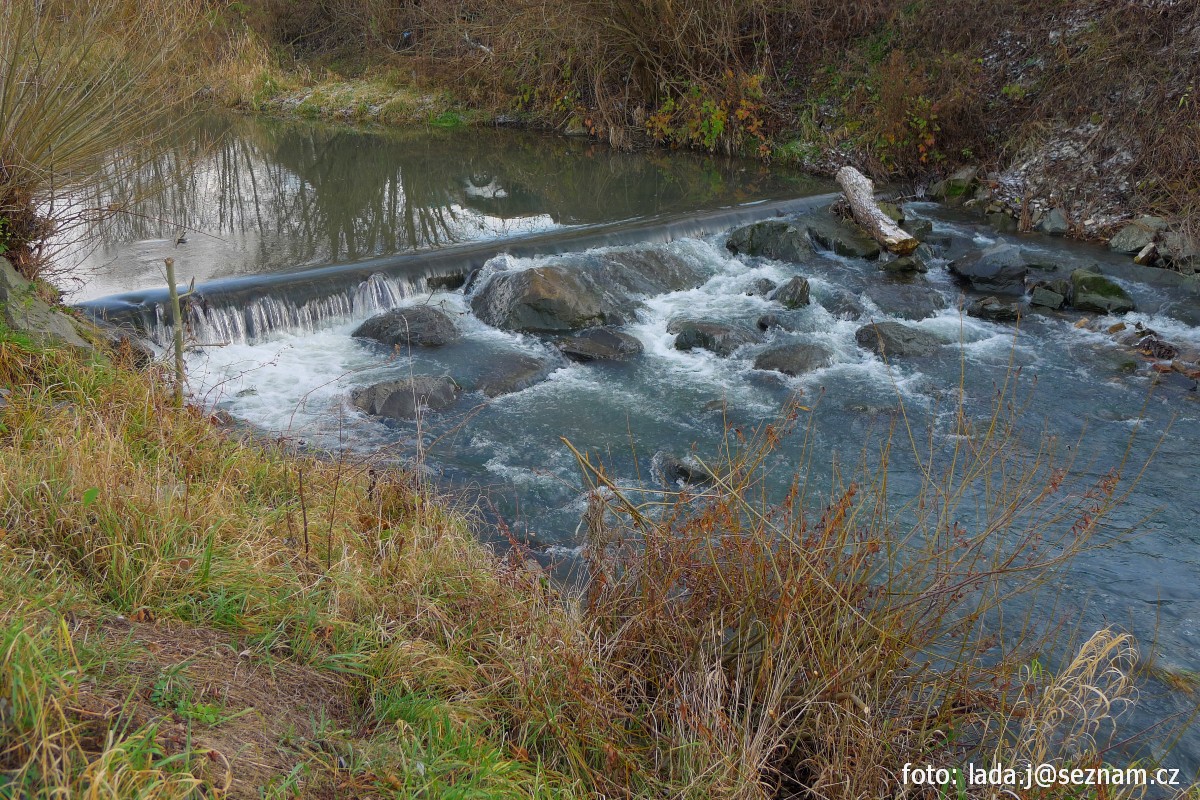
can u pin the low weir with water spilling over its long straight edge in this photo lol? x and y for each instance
(248, 309)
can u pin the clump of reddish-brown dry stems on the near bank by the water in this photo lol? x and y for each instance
(793, 649)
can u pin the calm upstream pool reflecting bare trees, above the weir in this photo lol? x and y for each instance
(272, 196)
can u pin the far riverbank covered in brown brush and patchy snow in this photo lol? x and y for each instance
(1060, 116)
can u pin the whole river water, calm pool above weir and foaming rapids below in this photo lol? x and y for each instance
(303, 232)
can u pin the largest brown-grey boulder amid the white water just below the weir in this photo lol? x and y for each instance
(580, 291)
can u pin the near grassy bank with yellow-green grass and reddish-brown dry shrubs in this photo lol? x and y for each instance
(185, 615)
